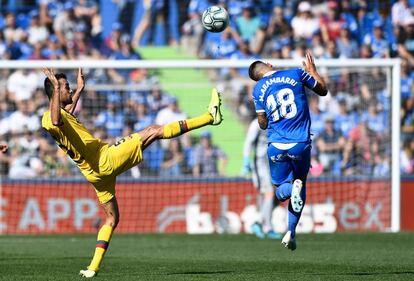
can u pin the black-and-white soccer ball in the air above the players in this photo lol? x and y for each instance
(215, 19)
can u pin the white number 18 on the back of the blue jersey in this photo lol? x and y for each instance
(286, 101)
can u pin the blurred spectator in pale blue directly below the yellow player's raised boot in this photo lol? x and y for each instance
(209, 160)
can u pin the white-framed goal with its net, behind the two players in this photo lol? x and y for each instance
(195, 183)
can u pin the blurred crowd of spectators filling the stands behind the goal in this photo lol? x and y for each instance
(351, 126)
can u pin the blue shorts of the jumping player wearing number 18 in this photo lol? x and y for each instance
(289, 164)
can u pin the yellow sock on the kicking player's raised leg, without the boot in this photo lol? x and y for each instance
(178, 128)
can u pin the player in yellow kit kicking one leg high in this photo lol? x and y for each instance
(101, 162)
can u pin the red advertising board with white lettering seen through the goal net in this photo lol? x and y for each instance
(188, 206)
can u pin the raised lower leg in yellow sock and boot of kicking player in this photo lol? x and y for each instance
(213, 117)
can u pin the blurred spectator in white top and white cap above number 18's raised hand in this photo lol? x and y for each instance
(304, 24)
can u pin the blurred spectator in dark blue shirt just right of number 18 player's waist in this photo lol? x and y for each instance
(330, 144)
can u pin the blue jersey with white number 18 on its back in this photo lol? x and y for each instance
(281, 95)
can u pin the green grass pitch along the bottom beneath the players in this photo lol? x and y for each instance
(356, 256)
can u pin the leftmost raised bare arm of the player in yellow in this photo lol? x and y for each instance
(52, 89)
